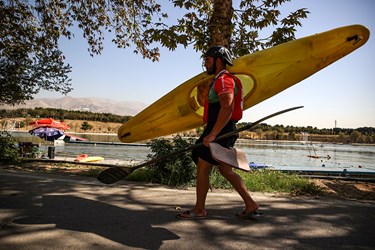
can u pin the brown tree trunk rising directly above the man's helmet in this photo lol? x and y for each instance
(220, 24)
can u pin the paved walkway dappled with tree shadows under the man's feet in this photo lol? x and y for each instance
(51, 211)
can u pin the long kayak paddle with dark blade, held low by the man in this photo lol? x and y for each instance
(114, 174)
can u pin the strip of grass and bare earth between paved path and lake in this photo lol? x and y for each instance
(267, 181)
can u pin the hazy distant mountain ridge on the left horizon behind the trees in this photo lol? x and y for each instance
(97, 105)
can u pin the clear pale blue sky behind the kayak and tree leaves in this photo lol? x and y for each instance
(342, 93)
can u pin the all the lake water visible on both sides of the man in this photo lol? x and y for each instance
(271, 153)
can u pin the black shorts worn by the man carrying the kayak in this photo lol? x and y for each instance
(204, 152)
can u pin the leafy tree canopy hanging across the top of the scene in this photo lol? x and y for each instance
(30, 59)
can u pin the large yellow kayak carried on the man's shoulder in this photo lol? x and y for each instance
(263, 75)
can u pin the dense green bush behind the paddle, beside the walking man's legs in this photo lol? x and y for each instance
(178, 171)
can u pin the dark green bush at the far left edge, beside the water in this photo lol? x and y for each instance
(8, 149)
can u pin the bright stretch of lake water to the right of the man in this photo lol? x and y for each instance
(297, 154)
